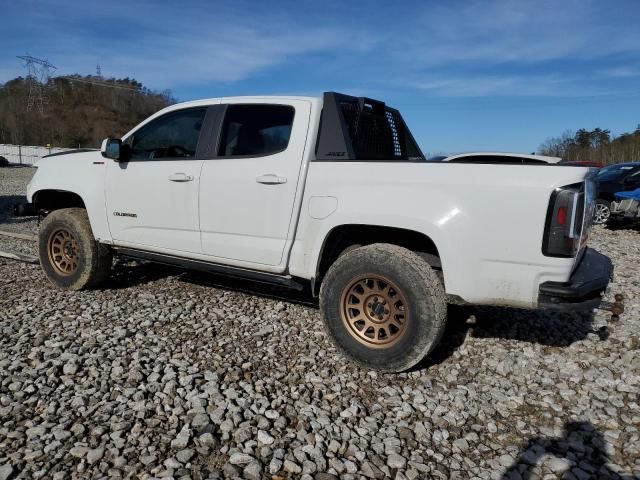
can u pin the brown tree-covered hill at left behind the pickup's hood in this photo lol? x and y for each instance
(80, 111)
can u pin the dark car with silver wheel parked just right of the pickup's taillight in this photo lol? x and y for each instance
(611, 179)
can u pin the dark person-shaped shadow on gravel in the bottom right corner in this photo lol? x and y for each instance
(581, 446)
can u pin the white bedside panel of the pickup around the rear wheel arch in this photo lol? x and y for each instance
(487, 221)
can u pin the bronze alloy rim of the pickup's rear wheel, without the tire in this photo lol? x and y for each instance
(374, 311)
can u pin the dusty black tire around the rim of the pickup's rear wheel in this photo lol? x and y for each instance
(419, 286)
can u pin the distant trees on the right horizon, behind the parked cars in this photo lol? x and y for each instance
(595, 145)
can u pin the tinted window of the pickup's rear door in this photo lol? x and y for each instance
(255, 130)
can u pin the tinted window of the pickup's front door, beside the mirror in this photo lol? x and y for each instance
(174, 135)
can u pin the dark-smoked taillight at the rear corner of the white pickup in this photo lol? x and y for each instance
(564, 226)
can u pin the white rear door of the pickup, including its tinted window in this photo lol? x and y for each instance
(248, 190)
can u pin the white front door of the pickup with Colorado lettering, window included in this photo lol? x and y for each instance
(152, 199)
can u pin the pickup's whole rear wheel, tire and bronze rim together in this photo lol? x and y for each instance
(383, 306)
